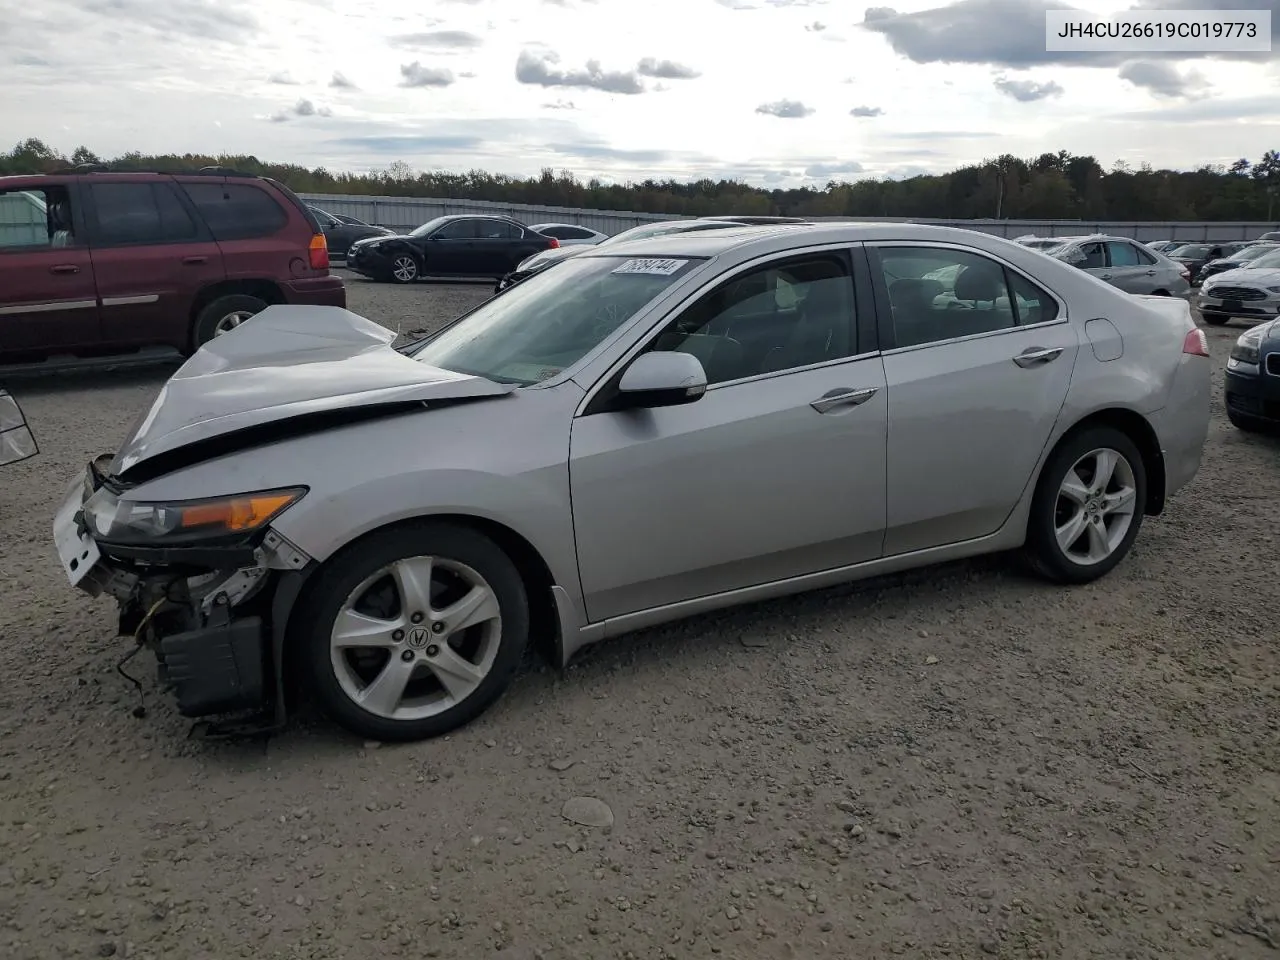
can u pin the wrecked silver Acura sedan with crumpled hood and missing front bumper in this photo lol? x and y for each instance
(651, 431)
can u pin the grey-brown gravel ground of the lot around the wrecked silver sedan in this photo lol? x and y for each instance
(961, 762)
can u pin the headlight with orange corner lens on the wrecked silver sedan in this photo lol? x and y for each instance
(177, 523)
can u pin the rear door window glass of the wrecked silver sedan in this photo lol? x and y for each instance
(941, 294)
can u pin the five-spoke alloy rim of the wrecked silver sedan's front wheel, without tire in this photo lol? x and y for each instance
(417, 638)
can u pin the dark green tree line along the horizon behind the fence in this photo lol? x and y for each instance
(1052, 186)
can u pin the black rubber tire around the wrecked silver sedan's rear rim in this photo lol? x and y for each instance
(1043, 551)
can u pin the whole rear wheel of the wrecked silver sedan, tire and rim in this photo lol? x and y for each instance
(1089, 506)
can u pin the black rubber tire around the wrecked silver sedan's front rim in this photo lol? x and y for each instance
(348, 570)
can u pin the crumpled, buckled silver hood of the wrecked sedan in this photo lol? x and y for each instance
(289, 362)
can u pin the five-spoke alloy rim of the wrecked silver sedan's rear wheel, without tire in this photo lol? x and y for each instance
(1096, 505)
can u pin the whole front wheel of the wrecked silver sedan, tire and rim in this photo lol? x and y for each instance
(414, 632)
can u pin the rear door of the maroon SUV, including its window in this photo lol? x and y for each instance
(152, 258)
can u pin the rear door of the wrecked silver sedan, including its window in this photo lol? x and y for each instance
(976, 383)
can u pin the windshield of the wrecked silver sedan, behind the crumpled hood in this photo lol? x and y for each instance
(552, 321)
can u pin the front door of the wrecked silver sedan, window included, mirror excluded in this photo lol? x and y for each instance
(776, 473)
